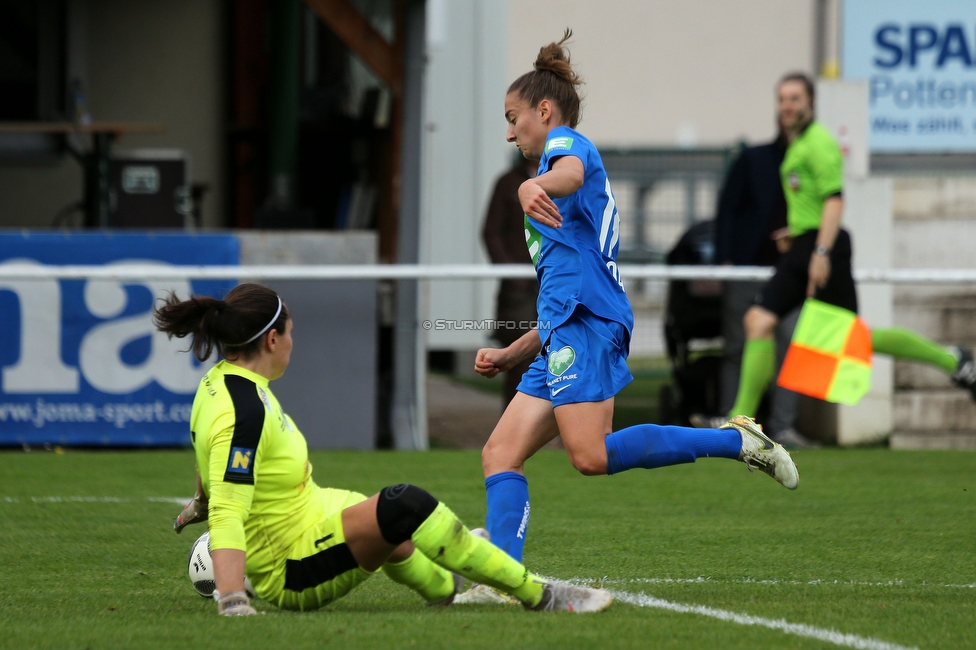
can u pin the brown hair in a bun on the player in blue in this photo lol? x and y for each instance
(553, 79)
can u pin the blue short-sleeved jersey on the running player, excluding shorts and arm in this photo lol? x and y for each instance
(577, 264)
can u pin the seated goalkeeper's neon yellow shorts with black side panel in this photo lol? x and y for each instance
(319, 568)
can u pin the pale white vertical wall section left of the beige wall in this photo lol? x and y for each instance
(464, 151)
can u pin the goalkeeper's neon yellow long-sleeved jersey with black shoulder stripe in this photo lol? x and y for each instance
(253, 464)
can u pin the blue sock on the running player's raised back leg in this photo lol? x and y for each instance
(652, 445)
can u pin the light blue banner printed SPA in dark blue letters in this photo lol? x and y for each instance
(919, 58)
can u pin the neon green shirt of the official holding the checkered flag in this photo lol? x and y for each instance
(812, 171)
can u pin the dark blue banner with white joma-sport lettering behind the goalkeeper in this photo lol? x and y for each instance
(81, 362)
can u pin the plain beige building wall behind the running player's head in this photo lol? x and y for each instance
(664, 73)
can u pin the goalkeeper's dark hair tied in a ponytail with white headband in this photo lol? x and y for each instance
(234, 323)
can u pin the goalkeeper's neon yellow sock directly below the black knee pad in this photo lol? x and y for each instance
(445, 540)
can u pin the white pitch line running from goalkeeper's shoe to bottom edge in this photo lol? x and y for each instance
(799, 629)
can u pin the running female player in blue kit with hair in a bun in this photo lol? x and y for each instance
(585, 320)
